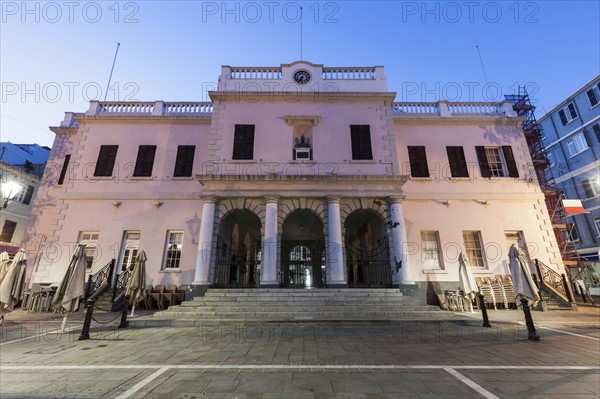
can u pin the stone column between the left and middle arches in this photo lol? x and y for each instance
(268, 276)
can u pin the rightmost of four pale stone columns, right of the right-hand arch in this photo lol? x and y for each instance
(400, 241)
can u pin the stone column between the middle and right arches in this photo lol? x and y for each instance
(336, 278)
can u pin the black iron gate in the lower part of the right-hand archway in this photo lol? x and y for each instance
(369, 268)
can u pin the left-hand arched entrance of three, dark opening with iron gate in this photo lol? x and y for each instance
(238, 251)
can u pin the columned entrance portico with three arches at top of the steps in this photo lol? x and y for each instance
(302, 222)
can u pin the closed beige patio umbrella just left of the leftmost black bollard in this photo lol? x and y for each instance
(72, 287)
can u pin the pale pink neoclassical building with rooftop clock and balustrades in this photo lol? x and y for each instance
(293, 176)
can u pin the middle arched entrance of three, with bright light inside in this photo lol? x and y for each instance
(302, 251)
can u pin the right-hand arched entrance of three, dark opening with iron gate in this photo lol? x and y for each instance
(367, 251)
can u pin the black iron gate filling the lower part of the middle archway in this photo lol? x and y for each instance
(302, 264)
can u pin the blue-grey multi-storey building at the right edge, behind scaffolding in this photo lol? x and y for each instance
(572, 142)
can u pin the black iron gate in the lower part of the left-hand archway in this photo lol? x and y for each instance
(237, 268)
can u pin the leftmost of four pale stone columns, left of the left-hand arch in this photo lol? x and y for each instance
(201, 278)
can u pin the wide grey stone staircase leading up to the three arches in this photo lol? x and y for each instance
(286, 305)
